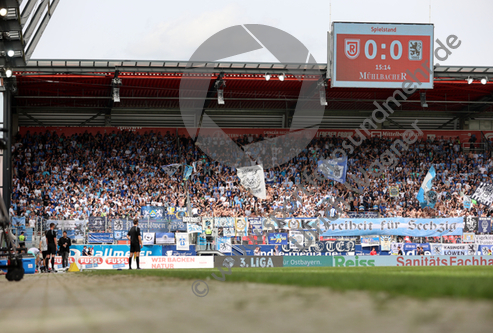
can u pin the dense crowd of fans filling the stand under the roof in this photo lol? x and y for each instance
(115, 174)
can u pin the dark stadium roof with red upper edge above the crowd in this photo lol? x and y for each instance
(79, 93)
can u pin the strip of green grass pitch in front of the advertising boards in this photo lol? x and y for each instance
(469, 282)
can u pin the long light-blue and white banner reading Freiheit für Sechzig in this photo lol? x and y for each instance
(398, 226)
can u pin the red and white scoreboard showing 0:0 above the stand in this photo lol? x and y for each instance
(380, 55)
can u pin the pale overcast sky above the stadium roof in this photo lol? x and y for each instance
(173, 30)
